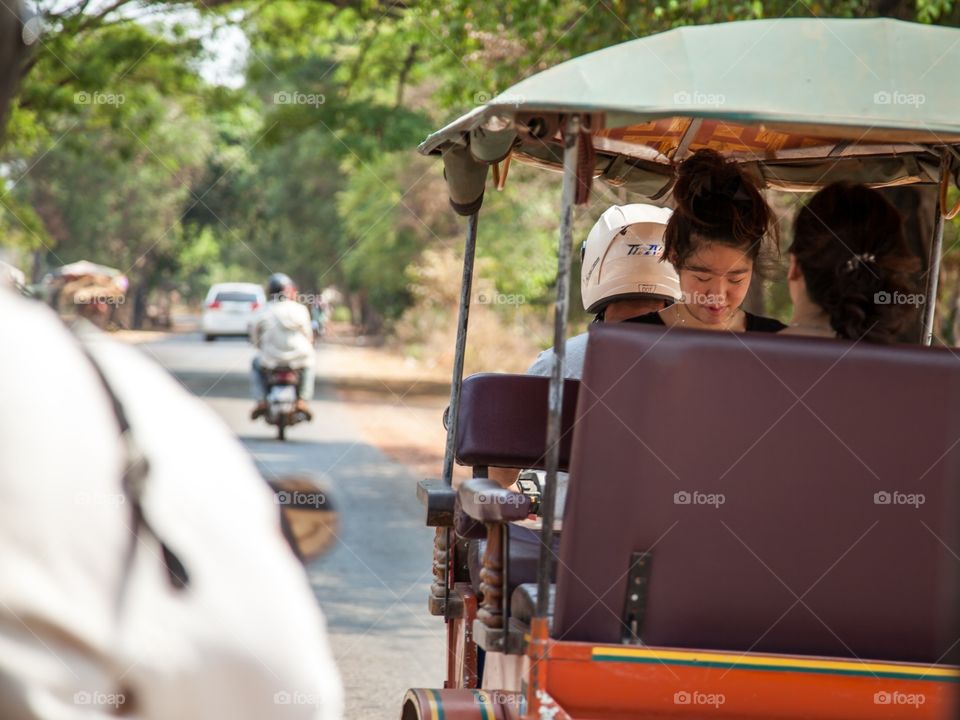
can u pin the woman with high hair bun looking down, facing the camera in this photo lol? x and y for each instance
(716, 239)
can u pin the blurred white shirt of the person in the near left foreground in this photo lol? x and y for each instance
(245, 640)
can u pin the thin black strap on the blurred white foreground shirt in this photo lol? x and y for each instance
(136, 471)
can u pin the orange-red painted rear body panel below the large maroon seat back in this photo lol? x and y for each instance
(582, 681)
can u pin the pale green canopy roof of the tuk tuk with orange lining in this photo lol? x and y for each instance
(802, 102)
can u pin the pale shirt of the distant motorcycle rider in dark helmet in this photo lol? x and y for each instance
(283, 332)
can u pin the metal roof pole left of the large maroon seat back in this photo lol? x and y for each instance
(571, 135)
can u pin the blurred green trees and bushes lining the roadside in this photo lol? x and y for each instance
(123, 150)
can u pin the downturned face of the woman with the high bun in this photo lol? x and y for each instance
(714, 281)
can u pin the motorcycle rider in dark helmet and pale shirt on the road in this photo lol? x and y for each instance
(283, 333)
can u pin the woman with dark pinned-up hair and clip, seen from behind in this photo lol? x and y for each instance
(852, 274)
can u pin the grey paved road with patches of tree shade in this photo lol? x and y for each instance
(373, 585)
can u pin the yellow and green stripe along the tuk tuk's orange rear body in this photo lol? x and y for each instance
(776, 664)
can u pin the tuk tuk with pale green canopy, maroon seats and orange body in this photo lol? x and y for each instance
(793, 551)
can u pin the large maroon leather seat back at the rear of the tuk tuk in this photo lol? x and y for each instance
(795, 495)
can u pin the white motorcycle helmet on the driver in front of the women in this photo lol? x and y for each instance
(621, 258)
